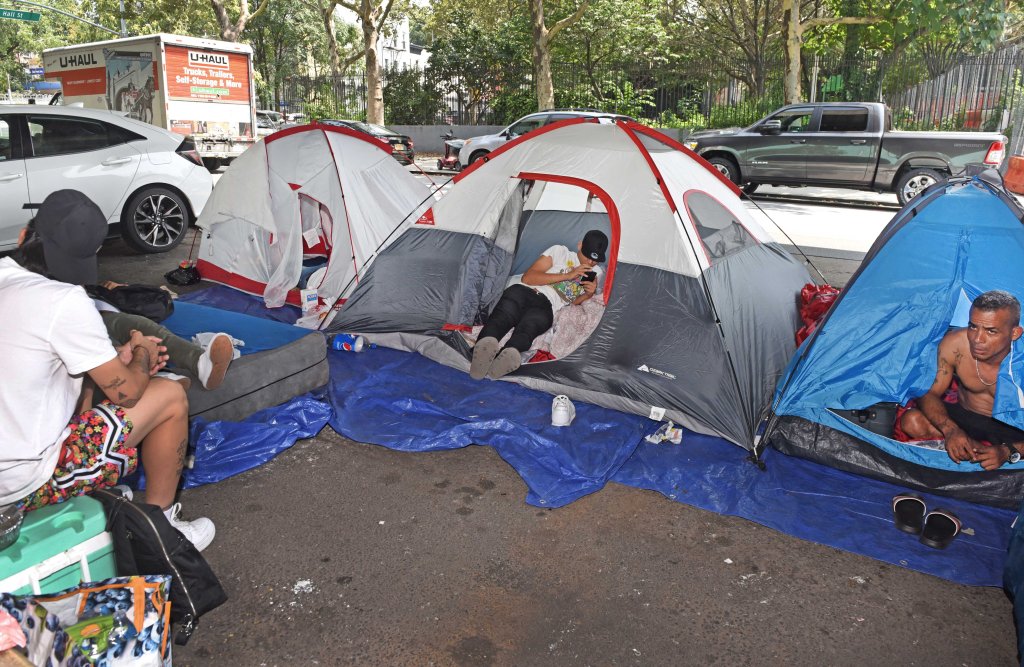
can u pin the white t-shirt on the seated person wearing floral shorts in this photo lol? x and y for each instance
(52, 336)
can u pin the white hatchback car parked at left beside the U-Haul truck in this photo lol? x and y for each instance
(148, 181)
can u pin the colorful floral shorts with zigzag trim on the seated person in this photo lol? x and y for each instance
(94, 456)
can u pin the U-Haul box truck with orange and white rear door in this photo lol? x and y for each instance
(193, 87)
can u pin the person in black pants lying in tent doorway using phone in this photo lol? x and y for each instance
(561, 277)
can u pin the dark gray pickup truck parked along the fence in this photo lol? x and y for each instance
(843, 145)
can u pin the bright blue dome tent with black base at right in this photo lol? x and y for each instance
(879, 343)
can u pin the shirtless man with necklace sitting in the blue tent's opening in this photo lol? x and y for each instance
(972, 356)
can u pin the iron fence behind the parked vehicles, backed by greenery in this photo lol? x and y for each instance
(984, 93)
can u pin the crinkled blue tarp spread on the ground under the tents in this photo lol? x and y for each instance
(409, 403)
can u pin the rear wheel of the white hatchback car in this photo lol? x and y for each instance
(155, 221)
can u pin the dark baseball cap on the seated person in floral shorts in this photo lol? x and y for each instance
(72, 229)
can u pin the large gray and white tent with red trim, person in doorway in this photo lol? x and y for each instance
(700, 304)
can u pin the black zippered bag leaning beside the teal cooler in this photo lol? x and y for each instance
(146, 544)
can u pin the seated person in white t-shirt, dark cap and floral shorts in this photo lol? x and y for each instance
(75, 410)
